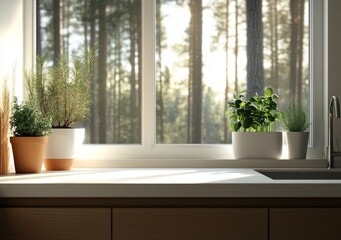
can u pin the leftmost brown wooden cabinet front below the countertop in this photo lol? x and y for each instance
(55, 224)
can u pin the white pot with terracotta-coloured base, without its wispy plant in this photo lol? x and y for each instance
(62, 148)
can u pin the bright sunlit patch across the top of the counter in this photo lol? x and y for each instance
(172, 176)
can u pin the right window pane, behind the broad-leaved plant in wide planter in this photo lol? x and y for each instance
(208, 49)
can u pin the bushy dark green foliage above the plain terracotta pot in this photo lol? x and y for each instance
(26, 120)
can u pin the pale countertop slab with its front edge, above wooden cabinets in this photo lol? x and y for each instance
(151, 182)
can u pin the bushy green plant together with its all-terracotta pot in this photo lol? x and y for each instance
(30, 130)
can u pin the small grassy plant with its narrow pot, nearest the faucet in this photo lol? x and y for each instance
(294, 120)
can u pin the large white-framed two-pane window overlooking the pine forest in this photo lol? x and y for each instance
(168, 68)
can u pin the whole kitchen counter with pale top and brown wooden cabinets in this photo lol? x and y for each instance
(167, 203)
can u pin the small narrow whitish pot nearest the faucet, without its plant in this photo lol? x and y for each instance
(297, 144)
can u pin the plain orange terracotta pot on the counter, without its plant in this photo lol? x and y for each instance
(28, 153)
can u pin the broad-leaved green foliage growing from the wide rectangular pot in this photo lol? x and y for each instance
(258, 114)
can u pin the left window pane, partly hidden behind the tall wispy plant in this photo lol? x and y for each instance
(113, 28)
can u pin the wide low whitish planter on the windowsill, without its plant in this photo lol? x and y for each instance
(257, 145)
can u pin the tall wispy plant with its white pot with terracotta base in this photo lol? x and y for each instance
(62, 91)
